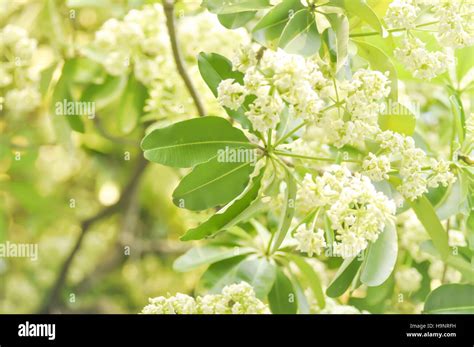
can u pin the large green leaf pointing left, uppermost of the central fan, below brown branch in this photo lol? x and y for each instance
(193, 141)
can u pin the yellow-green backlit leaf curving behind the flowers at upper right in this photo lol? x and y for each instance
(378, 60)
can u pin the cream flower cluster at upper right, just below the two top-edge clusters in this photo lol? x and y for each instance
(422, 63)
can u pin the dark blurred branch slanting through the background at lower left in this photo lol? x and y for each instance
(127, 195)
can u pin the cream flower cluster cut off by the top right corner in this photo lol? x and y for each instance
(455, 28)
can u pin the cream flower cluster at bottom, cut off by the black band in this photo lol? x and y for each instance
(235, 299)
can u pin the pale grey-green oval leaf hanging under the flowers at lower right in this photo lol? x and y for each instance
(381, 258)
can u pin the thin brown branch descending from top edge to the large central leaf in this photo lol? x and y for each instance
(168, 6)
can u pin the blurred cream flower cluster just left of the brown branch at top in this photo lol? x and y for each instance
(138, 40)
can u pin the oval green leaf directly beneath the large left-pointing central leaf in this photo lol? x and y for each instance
(212, 183)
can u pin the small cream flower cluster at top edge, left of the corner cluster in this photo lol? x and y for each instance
(402, 14)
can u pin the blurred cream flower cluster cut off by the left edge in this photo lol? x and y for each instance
(18, 77)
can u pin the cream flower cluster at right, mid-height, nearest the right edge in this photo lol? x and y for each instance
(418, 172)
